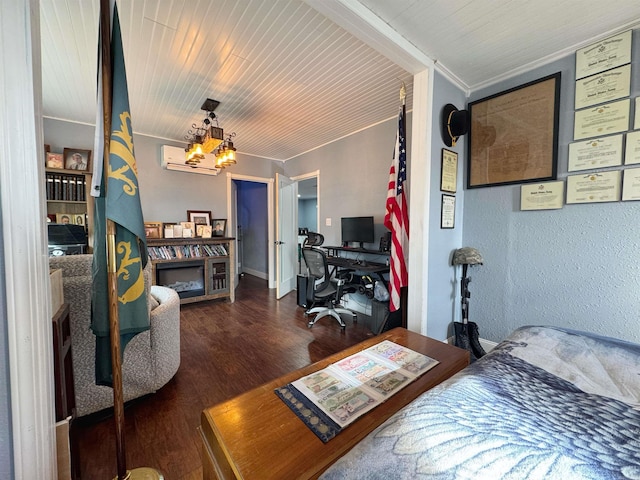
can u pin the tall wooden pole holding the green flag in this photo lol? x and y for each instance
(114, 325)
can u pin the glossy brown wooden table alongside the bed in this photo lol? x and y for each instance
(256, 436)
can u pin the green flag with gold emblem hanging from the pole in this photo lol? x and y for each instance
(120, 203)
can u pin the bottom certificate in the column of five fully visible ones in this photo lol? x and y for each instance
(594, 187)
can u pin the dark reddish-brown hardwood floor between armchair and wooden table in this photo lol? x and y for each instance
(226, 349)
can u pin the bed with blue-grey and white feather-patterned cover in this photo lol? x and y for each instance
(546, 403)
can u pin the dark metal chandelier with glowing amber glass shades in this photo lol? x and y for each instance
(209, 138)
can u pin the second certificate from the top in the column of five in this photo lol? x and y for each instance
(603, 87)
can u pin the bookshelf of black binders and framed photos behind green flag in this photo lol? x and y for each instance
(68, 199)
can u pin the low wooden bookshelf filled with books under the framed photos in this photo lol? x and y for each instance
(197, 268)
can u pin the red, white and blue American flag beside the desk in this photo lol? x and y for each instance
(396, 217)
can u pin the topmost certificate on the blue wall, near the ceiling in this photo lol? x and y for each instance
(604, 55)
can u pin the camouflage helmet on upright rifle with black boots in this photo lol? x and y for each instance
(467, 335)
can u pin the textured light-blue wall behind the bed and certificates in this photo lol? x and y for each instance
(576, 267)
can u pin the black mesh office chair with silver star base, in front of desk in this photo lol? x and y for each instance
(323, 289)
